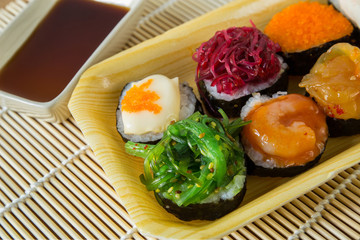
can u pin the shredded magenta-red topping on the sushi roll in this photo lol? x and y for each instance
(236, 56)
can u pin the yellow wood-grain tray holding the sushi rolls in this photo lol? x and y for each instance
(170, 54)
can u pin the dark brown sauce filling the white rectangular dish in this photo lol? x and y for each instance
(57, 49)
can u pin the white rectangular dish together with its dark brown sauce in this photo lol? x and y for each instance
(47, 47)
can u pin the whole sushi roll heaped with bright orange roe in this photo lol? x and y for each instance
(306, 30)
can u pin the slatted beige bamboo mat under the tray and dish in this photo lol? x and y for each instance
(53, 188)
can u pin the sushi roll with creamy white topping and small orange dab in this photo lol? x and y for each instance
(148, 106)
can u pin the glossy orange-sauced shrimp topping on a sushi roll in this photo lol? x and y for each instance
(286, 131)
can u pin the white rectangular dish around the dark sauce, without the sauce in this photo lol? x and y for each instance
(24, 24)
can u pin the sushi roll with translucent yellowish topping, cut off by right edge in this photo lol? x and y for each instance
(334, 84)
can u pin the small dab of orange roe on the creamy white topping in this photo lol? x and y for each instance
(137, 99)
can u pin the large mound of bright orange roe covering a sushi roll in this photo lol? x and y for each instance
(307, 24)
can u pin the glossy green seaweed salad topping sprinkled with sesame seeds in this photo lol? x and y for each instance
(198, 160)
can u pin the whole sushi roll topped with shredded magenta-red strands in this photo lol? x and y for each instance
(235, 63)
